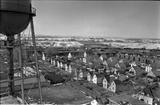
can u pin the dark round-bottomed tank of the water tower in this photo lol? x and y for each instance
(14, 16)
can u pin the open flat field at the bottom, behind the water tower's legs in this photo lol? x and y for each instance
(60, 95)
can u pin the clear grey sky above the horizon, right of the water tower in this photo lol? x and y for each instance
(127, 19)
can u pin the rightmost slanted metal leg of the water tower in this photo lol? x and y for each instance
(36, 60)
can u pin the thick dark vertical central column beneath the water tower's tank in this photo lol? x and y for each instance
(10, 40)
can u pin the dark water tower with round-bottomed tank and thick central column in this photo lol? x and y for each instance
(15, 15)
